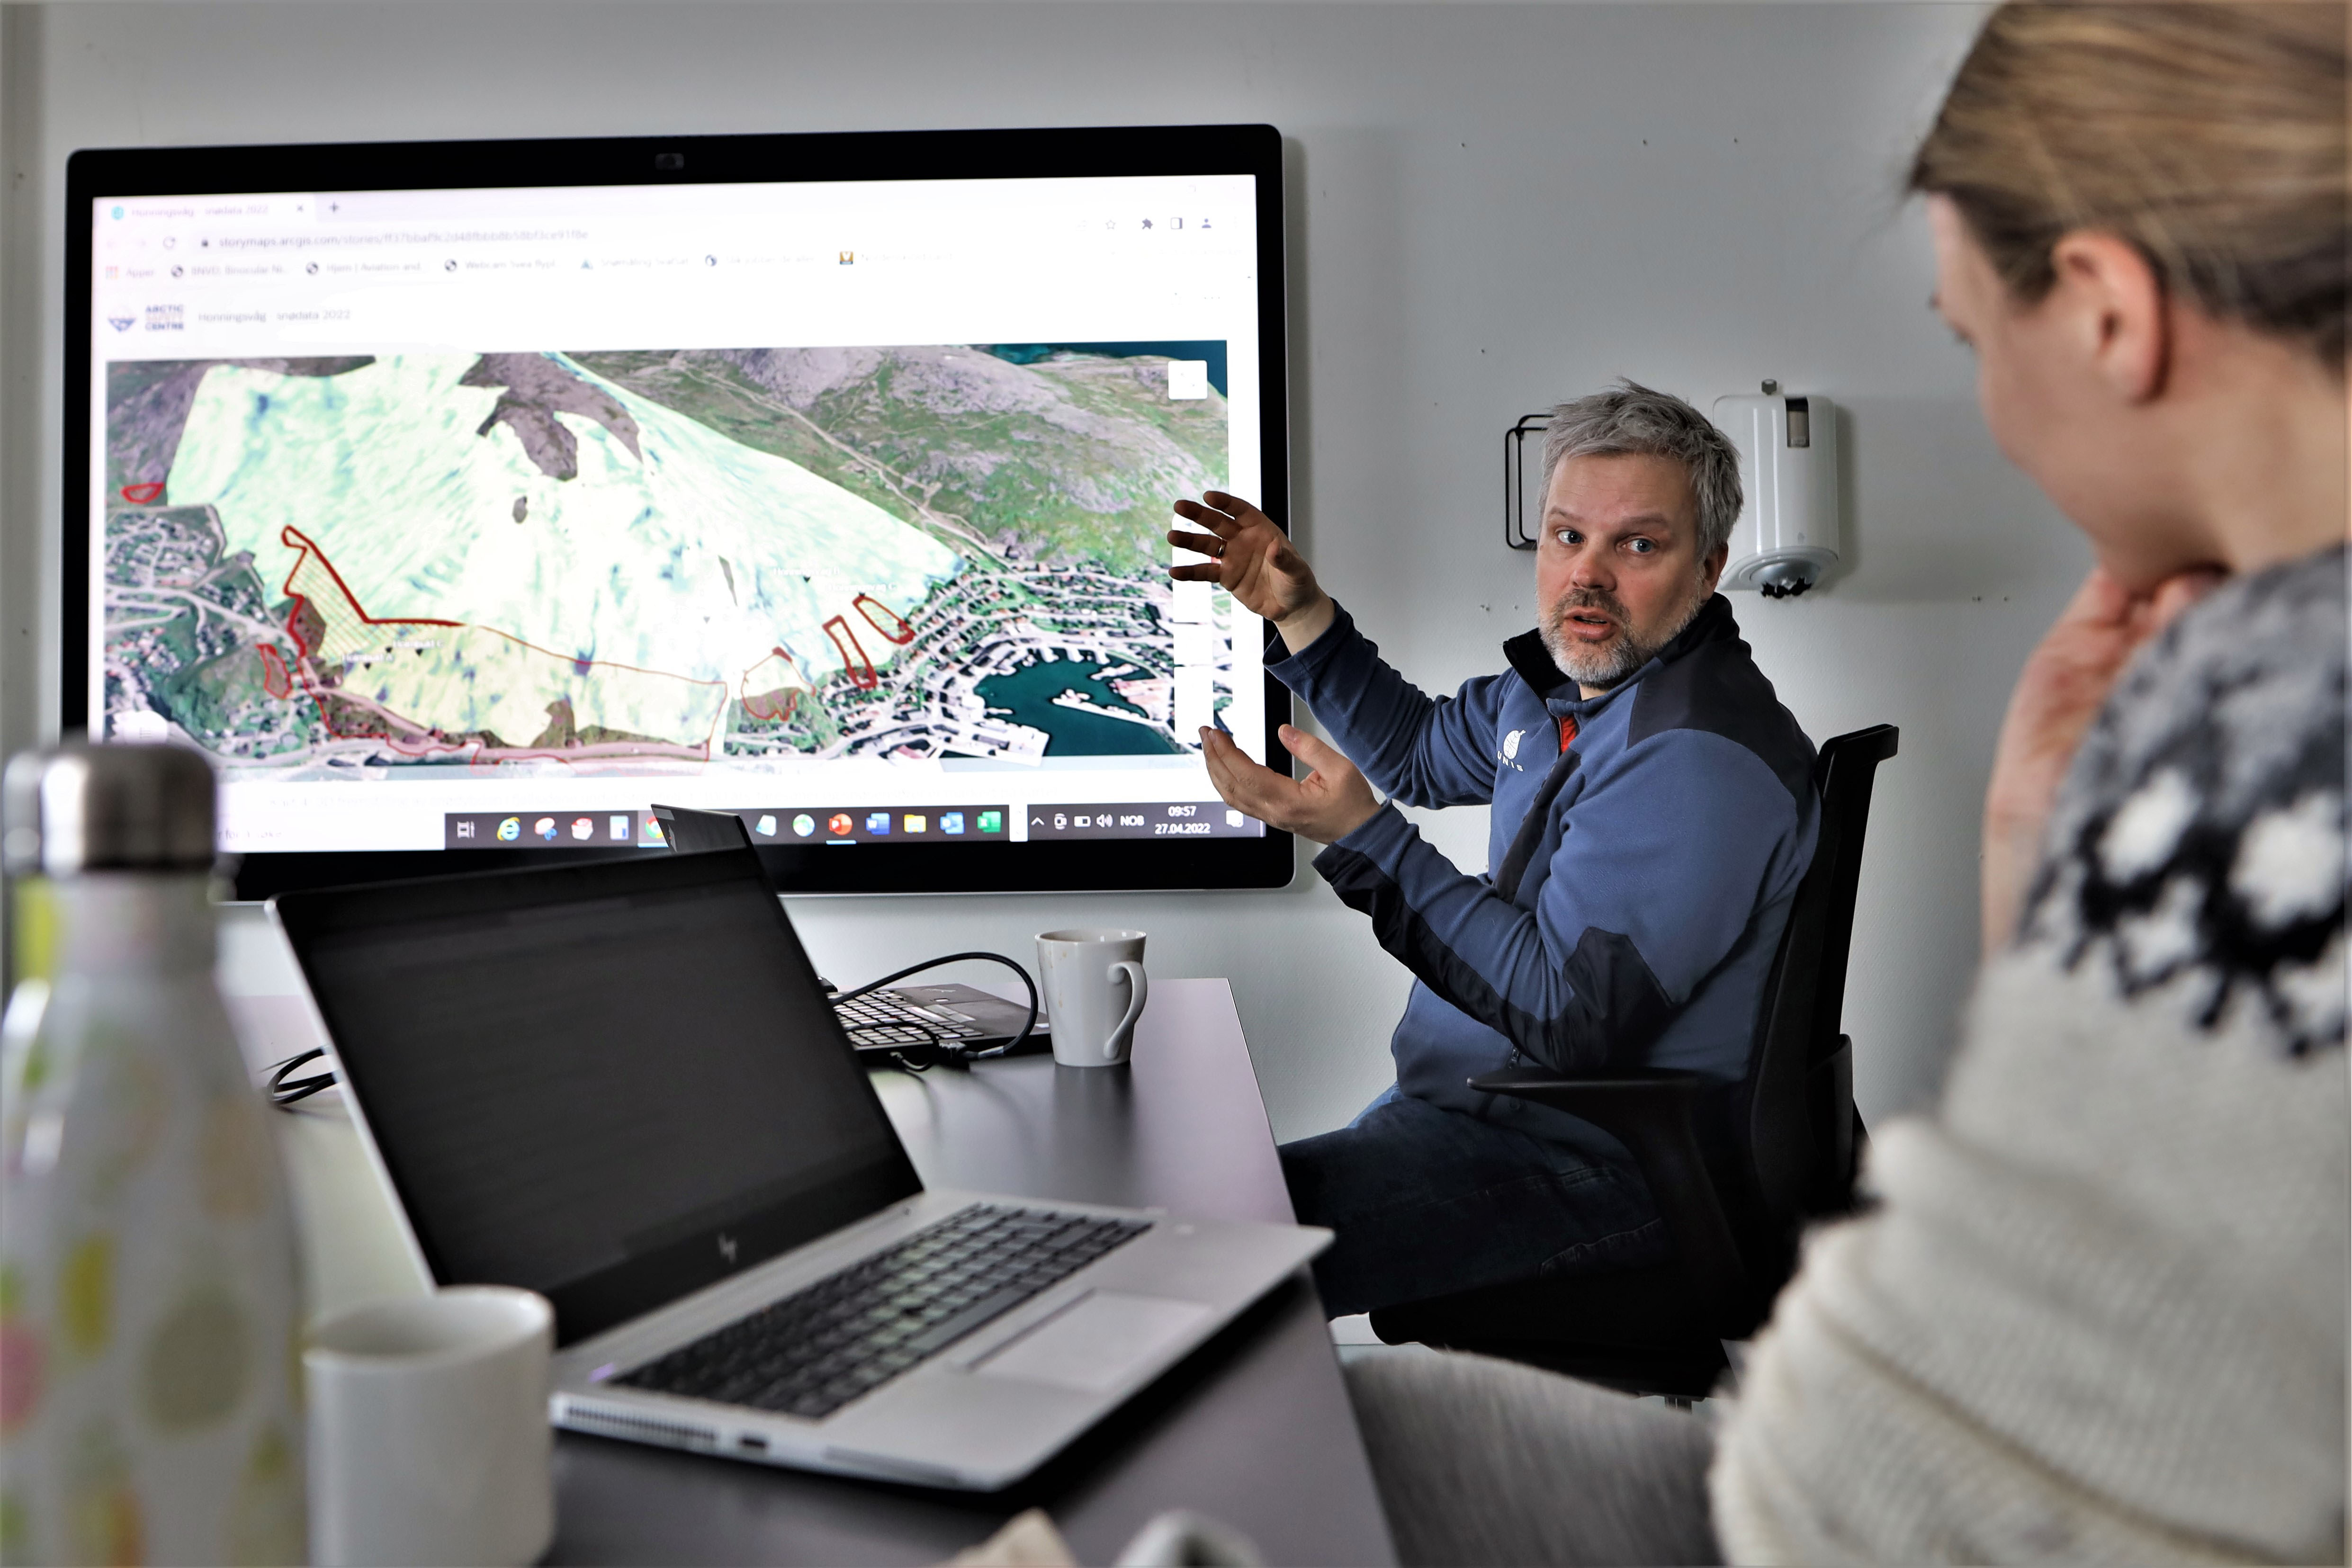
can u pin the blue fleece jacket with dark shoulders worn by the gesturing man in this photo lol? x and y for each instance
(1641, 878)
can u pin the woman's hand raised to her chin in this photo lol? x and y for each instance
(2062, 690)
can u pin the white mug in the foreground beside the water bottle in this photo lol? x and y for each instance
(429, 1430)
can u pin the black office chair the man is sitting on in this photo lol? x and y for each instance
(1737, 1170)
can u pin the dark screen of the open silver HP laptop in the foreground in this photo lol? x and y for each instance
(610, 1083)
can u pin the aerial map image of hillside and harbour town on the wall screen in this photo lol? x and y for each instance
(613, 561)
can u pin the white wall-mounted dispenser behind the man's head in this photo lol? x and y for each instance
(1786, 537)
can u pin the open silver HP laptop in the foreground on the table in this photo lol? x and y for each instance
(620, 1085)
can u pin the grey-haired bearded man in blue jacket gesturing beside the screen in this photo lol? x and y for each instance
(1652, 817)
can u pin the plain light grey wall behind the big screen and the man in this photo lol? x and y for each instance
(1495, 208)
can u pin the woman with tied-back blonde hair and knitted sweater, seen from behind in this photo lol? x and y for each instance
(2099, 1308)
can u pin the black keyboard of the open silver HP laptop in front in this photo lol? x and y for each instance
(820, 1348)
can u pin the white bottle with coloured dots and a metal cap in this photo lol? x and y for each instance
(149, 1296)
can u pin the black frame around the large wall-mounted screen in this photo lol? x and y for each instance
(709, 161)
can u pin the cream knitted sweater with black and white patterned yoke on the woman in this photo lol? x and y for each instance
(2102, 1311)
